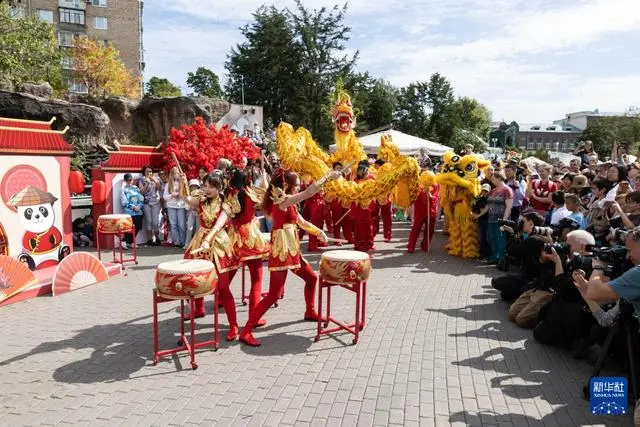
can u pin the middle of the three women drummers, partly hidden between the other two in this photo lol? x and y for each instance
(248, 242)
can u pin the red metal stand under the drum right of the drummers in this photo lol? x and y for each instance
(360, 289)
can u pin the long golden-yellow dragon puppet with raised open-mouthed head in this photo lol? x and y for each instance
(300, 153)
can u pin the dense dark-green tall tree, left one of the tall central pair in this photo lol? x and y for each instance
(266, 65)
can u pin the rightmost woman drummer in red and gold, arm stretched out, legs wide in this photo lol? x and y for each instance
(280, 202)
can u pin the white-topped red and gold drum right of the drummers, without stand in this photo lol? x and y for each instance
(345, 267)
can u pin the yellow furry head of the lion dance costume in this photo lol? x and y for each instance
(462, 171)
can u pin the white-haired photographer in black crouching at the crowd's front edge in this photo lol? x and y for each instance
(564, 320)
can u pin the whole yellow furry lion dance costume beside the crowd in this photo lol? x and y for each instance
(460, 185)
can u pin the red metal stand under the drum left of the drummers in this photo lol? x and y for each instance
(184, 344)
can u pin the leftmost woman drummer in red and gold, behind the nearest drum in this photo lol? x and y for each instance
(213, 243)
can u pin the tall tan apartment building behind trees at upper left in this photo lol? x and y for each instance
(115, 21)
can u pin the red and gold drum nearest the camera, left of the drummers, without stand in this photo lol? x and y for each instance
(186, 278)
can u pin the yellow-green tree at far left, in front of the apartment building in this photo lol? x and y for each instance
(28, 50)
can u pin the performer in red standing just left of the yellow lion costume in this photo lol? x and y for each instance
(424, 214)
